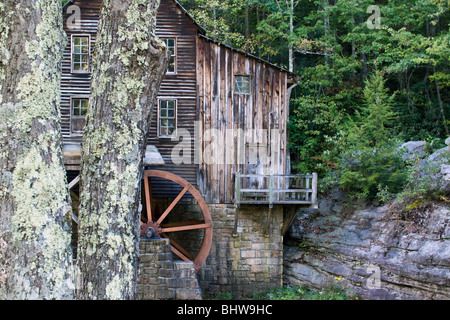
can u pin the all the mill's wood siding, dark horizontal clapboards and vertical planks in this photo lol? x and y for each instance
(204, 89)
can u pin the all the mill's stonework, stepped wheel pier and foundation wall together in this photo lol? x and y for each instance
(242, 263)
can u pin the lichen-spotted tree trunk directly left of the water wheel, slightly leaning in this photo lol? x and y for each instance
(128, 68)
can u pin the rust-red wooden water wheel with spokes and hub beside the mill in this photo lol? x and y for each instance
(157, 226)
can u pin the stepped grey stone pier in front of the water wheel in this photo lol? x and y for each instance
(161, 278)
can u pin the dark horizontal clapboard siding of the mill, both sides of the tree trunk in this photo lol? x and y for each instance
(172, 22)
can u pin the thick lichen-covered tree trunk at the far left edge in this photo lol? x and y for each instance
(35, 252)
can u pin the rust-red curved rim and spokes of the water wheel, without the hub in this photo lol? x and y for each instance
(200, 258)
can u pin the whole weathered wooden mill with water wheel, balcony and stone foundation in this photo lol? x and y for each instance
(219, 128)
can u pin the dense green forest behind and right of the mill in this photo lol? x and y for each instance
(372, 75)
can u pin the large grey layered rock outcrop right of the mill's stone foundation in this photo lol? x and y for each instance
(376, 252)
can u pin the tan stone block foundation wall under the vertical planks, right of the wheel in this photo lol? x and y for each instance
(248, 261)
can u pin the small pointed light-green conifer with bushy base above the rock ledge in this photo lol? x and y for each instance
(372, 162)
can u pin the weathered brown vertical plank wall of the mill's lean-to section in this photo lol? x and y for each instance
(229, 113)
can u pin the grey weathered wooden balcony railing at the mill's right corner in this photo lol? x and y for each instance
(276, 189)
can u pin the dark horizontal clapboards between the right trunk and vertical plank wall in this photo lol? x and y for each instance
(172, 22)
